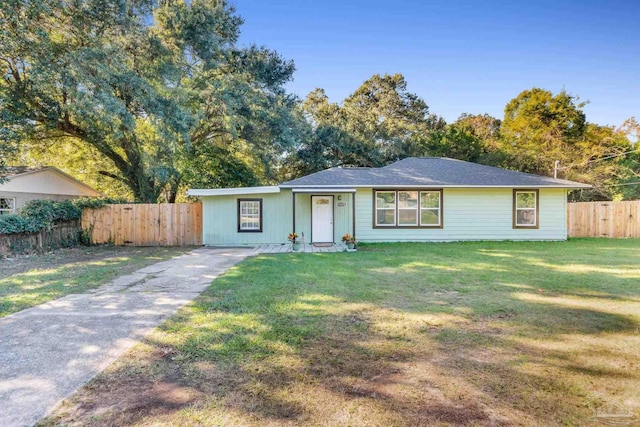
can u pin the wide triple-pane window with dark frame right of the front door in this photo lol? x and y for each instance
(408, 208)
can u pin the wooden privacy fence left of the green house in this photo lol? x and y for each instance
(163, 224)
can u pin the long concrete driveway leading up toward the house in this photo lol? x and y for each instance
(49, 351)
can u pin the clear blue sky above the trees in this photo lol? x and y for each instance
(459, 56)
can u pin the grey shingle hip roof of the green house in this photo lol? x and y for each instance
(429, 172)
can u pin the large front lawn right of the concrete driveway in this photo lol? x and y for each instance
(483, 333)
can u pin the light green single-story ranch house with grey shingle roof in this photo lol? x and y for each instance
(414, 199)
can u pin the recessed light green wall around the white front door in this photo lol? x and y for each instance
(342, 215)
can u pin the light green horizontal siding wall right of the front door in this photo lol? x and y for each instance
(471, 214)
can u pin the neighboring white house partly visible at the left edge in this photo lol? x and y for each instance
(35, 183)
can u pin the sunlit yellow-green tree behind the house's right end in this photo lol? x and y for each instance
(540, 128)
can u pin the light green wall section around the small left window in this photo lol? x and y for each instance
(220, 220)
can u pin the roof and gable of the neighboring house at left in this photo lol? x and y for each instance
(28, 179)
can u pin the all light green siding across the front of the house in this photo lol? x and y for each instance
(468, 214)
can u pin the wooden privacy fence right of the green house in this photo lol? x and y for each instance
(604, 219)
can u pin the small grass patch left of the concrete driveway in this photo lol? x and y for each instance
(28, 281)
